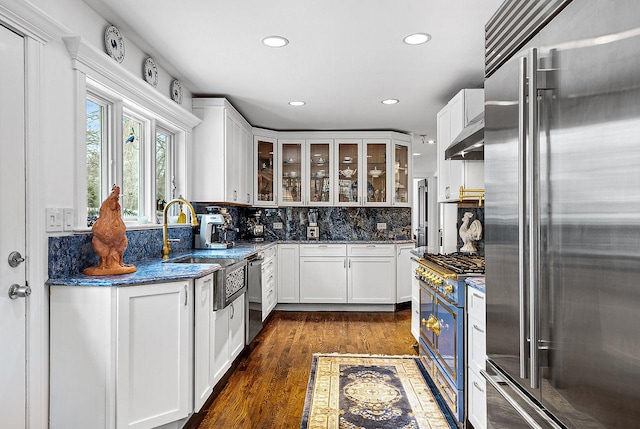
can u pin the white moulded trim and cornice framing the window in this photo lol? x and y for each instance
(97, 73)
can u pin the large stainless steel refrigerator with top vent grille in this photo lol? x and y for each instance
(562, 217)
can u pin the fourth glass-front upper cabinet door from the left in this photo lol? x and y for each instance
(348, 164)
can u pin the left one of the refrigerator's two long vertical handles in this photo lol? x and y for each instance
(522, 213)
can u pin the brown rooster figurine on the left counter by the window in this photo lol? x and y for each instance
(110, 239)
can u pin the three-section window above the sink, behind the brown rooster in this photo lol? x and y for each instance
(142, 166)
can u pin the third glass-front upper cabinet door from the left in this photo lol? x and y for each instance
(319, 158)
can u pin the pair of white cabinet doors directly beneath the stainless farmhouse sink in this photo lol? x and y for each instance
(228, 338)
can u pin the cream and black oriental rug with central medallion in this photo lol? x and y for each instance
(371, 392)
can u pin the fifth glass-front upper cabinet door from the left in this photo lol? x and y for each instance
(377, 159)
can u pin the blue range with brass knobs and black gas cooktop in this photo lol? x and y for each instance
(442, 309)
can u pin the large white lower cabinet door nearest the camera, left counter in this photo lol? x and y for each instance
(154, 325)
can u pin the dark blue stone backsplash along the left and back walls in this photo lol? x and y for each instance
(69, 255)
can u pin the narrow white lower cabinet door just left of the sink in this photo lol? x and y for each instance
(203, 341)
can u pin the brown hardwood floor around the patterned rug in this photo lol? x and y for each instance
(268, 388)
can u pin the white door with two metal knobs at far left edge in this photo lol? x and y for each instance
(12, 231)
